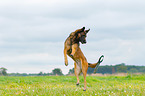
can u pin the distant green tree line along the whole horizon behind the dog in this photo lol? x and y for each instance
(109, 69)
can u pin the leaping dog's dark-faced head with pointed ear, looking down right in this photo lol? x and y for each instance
(82, 36)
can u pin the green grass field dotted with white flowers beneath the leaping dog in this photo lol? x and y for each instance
(66, 86)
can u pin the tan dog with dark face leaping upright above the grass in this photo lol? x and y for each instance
(72, 49)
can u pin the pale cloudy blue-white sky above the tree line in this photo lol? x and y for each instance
(32, 32)
